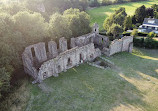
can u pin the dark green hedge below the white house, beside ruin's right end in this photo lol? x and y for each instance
(146, 43)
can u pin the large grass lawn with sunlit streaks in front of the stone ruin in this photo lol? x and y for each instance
(86, 88)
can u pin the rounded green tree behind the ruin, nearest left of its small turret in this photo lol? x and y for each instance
(78, 22)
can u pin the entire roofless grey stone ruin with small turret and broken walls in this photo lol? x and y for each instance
(43, 60)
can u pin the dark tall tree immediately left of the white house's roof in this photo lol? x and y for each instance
(140, 14)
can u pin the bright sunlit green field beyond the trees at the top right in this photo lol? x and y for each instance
(99, 14)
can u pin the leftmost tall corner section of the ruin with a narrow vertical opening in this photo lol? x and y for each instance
(32, 57)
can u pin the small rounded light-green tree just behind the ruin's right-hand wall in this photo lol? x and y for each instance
(115, 30)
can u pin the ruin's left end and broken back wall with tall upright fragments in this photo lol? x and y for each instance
(34, 55)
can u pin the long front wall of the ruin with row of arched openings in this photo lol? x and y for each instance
(67, 60)
